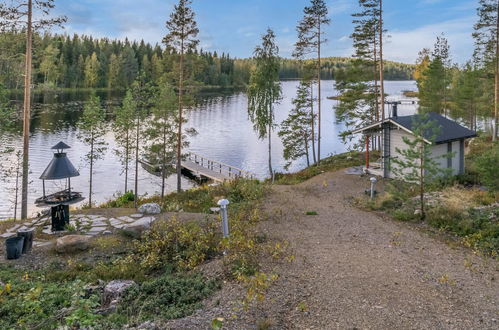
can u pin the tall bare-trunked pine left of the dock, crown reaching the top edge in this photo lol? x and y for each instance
(181, 37)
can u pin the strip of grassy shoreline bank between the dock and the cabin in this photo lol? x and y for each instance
(332, 163)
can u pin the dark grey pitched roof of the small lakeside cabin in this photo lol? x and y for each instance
(449, 129)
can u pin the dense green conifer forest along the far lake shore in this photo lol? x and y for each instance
(81, 61)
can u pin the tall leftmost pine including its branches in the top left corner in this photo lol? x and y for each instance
(19, 15)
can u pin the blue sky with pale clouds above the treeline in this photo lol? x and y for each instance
(235, 26)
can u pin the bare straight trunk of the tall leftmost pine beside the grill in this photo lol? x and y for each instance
(27, 113)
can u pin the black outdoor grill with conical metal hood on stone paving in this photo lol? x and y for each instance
(59, 168)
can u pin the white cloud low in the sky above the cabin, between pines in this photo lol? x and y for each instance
(404, 46)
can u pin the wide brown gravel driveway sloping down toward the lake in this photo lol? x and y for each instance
(358, 270)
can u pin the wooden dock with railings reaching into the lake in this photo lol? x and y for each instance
(203, 168)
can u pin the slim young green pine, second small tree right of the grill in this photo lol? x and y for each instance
(124, 128)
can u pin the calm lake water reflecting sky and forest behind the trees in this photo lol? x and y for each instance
(224, 134)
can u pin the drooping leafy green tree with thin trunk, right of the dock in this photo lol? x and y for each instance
(264, 89)
